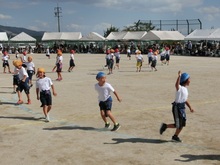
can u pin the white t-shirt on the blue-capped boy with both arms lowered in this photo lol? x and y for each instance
(104, 91)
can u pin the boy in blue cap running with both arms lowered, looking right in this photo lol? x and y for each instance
(105, 100)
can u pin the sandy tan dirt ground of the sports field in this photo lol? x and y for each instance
(76, 135)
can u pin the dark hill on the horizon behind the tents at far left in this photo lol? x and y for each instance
(13, 31)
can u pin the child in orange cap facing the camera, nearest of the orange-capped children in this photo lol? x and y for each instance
(43, 86)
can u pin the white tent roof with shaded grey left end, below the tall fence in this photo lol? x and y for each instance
(163, 35)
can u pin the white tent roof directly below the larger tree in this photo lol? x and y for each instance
(137, 35)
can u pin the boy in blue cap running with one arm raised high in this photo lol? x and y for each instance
(178, 107)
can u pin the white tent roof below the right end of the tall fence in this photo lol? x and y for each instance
(200, 34)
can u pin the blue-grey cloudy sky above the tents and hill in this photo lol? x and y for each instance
(87, 16)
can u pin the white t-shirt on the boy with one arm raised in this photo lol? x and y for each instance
(181, 94)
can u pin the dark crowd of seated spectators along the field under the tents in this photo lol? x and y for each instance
(201, 48)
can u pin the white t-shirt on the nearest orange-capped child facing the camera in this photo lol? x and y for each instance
(44, 83)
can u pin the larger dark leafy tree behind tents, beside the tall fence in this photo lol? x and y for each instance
(139, 26)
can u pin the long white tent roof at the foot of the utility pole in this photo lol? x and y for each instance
(61, 36)
